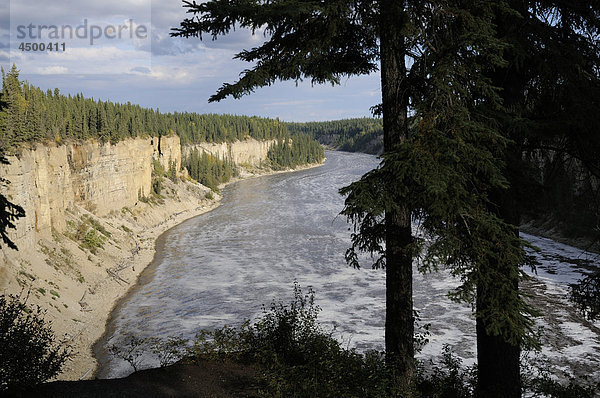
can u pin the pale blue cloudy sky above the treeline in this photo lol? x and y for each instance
(120, 50)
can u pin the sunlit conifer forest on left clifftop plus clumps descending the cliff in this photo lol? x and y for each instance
(29, 114)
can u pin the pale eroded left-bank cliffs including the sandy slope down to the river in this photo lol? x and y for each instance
(87, 235)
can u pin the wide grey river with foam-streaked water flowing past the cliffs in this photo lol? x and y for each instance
(222, 267)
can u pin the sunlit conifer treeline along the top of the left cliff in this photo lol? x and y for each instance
(29, 114)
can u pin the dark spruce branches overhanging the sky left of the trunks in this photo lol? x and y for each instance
(320, 41)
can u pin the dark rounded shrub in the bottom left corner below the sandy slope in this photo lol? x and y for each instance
(29, 354)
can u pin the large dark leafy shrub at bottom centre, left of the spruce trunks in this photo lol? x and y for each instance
(296, 356)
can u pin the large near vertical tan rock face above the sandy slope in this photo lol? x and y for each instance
(49, 180)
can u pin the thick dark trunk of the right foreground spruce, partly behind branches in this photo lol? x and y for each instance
(498, 366)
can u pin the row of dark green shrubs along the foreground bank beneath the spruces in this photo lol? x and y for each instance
(297, 358)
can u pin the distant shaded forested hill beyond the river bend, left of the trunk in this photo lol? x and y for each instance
(351, 135)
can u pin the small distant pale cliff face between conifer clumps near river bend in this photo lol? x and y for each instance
(248, 152)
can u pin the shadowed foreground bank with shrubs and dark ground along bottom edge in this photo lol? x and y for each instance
(287, 353)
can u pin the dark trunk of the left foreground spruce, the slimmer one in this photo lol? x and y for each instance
(399, 324)
